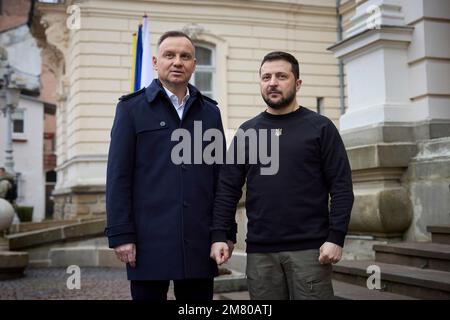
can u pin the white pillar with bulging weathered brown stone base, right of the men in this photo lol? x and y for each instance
(383, 123)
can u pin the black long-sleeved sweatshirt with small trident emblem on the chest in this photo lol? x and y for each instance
(289, 210)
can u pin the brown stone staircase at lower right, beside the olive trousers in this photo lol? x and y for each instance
(419, 270)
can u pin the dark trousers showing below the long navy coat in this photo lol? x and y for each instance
(188, 289)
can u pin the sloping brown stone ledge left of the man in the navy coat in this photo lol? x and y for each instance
(63, 233)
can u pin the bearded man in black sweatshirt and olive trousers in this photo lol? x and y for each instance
(294, 232)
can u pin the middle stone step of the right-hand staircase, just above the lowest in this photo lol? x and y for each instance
(423, 255)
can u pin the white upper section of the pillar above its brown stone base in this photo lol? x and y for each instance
(375, 55)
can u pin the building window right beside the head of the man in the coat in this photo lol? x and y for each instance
(203, 78)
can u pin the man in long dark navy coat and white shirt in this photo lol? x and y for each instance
(159, 212)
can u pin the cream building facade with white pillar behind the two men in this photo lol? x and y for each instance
(385, 62)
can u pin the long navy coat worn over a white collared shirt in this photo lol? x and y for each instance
(165, 208)
